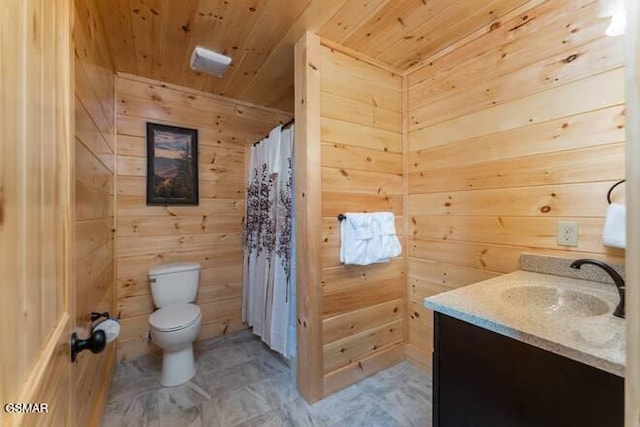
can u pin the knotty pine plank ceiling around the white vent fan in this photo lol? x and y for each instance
(155, 38)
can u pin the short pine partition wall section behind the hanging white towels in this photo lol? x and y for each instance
(361, 171)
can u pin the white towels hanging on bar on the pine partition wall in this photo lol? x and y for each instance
(368, 238)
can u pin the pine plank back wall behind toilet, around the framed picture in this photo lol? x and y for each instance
(210, 233)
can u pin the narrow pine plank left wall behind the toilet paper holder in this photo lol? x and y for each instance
(94, 207)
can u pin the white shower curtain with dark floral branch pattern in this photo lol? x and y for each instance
(269, 244)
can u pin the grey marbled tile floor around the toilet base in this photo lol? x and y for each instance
(241, 383)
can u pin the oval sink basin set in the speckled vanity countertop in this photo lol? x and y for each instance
(552, 300)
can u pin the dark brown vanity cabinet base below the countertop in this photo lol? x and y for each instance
(481, 378)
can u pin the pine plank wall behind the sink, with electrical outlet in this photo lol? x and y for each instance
(509, 133)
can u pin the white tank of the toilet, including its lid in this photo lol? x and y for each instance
(174, 283)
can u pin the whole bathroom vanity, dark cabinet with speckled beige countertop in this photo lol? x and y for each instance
(528, 349)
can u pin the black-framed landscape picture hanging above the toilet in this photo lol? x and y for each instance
(172, 165)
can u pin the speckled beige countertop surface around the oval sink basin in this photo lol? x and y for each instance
(597, 340)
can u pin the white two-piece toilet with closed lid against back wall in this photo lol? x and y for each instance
(177, 321)
